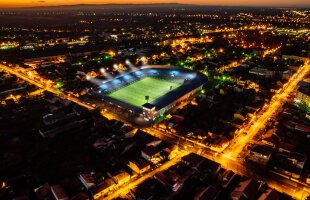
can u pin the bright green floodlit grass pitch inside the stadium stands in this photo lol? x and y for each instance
(134, 94)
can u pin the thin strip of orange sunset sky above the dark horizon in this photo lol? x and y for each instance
(34, 3)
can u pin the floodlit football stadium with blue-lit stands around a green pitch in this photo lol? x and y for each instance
(150, 91)
